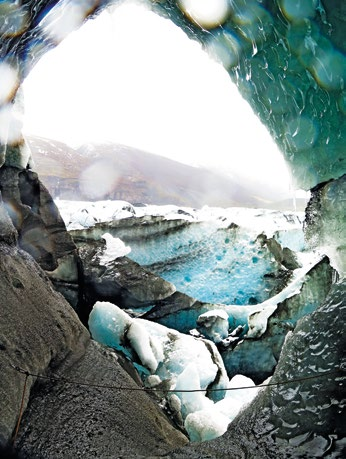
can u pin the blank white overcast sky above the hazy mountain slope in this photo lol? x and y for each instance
(135, 78)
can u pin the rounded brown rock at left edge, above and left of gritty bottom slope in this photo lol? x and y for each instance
(37, 329)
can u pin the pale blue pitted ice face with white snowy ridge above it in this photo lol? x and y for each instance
(218, 258)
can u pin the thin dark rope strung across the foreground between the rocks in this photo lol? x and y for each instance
(124, 388)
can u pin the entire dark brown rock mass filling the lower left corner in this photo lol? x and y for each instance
(41, 334)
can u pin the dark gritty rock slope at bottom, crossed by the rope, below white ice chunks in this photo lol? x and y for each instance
(100, 422)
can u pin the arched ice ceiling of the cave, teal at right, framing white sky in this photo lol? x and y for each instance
(286, 57)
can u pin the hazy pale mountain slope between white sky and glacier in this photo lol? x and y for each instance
(112, 171)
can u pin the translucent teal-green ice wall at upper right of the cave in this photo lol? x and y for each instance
(287, 59)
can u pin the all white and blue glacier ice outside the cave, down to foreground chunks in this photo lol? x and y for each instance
(220, 254)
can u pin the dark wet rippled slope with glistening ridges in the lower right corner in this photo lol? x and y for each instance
(304, 419)
